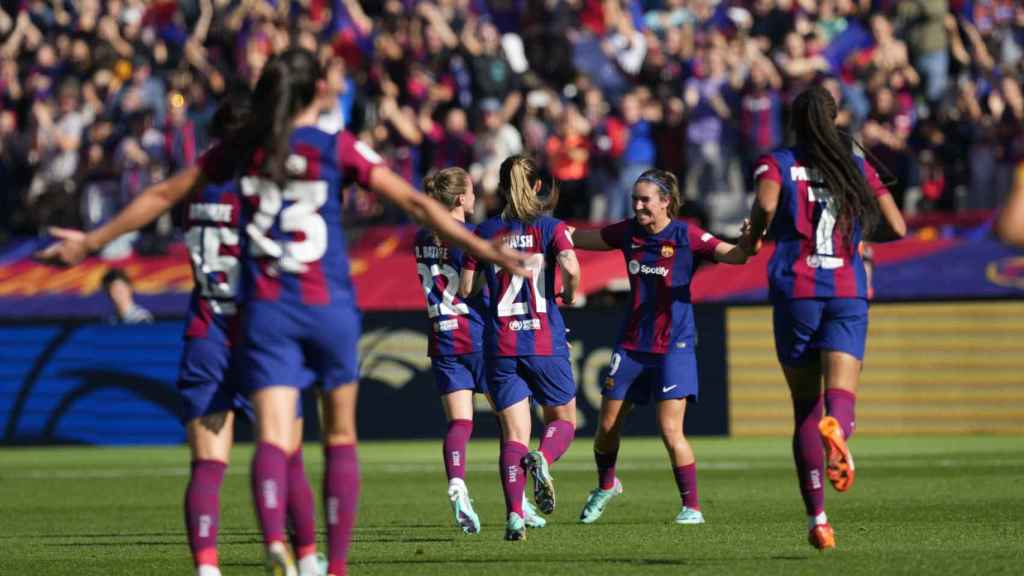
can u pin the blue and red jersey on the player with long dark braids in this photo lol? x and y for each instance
(814, 259)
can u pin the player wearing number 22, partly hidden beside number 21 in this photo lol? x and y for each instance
(456, 346)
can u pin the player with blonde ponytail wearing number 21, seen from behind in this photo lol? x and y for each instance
(528, 354)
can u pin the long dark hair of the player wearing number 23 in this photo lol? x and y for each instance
(286, 88)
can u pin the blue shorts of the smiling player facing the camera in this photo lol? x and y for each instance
(636, 377)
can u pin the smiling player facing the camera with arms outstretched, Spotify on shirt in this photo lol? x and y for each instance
(655, 355)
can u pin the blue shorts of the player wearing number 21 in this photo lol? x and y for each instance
(547, 379)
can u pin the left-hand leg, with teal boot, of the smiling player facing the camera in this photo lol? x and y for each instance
(610, 425)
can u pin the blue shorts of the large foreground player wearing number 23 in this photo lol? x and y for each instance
(282, 343)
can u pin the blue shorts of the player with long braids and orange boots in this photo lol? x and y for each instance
(805, 326)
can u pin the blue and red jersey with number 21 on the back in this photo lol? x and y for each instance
(523, 317)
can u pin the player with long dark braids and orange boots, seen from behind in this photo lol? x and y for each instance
(818, 200)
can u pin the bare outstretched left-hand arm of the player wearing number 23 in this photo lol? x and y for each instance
(75, 245)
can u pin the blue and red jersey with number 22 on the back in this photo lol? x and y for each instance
(456, 324)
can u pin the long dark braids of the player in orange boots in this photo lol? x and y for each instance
(814, 122)
